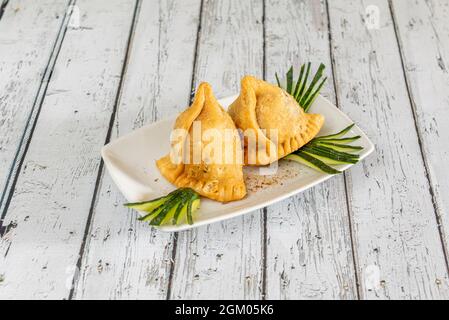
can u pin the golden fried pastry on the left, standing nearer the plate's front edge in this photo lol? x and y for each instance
(210, 163)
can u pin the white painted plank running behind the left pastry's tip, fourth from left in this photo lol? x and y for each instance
(224, 260)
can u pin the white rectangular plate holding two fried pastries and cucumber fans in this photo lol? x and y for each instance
(130, 161)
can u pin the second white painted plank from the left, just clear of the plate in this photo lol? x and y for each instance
(51, 202)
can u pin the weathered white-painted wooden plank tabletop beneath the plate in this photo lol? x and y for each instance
(76, 74)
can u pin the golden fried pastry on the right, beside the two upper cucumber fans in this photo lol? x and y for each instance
(262, 106)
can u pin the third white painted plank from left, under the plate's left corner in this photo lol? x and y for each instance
(126, 258)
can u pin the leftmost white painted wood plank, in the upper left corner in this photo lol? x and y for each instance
(28, 33)
